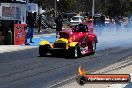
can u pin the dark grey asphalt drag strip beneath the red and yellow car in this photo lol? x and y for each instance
(49, 72)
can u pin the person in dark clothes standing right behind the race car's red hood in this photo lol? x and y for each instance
(59, 24)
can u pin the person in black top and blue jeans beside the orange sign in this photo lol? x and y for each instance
(30, 28)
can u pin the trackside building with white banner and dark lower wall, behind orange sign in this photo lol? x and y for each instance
(13, 12)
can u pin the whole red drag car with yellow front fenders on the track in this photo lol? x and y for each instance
(74, 42)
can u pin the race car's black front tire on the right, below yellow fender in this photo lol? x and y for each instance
(74, 52)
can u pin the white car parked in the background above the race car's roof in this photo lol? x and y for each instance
(75, 20)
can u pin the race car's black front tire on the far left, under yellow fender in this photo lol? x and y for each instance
(43, 50)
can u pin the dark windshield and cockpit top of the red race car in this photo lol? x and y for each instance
(80, 28)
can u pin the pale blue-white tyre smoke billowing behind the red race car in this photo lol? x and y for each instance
(113, 36)
